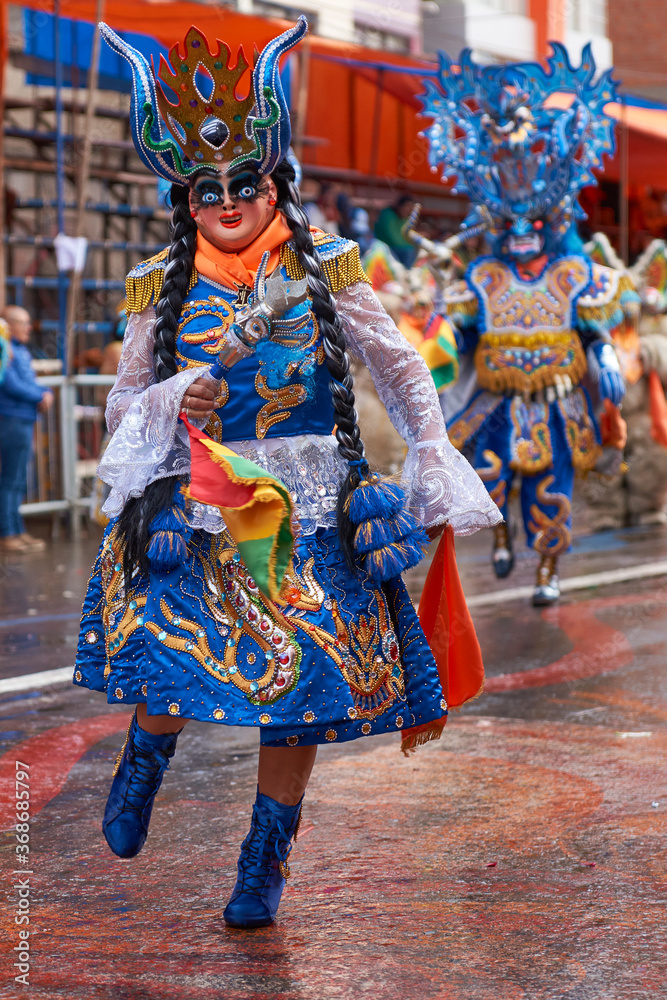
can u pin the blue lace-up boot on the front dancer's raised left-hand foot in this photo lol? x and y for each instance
(138, 774)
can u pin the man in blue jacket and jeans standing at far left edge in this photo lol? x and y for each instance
(20, 400)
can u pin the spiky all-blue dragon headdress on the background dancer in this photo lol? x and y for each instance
(520, 140)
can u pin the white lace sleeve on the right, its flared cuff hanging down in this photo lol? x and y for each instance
(441, 484)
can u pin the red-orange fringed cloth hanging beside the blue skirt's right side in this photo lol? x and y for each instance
(450, 633)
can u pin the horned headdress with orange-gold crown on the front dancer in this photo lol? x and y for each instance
(204, 123)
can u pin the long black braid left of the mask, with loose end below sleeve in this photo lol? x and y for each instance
(132, 526)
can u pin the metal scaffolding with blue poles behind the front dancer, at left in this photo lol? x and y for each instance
(70, 167)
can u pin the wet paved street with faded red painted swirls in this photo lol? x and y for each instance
(522, 856)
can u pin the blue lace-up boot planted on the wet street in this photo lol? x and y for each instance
(263, 867)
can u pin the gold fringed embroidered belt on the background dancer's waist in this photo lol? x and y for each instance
(514, 363)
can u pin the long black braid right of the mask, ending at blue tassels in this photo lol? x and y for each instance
(348, 435)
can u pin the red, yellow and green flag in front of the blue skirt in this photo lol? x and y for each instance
(256, 507)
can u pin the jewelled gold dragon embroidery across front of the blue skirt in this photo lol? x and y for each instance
(367, 651)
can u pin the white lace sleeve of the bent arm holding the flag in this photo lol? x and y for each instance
(148, 441)
